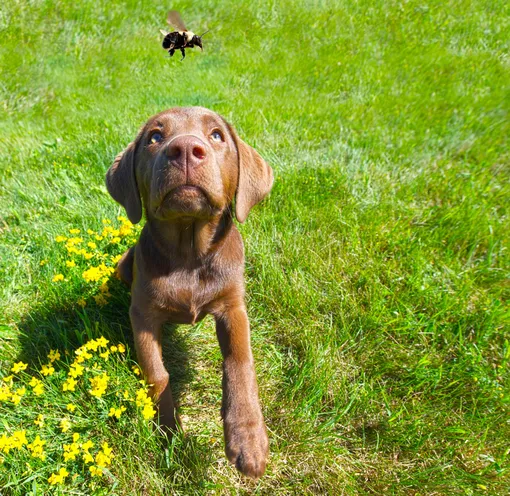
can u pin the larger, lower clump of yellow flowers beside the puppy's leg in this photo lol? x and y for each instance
(54, 416)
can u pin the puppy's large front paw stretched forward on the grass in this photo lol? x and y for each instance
(247, 446)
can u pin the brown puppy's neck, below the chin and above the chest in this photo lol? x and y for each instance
(189, 239)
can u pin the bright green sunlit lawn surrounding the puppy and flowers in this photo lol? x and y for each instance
(377, 271)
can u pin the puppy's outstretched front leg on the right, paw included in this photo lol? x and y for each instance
(246, 442)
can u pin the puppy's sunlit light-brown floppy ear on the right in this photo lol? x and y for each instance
(254, 181)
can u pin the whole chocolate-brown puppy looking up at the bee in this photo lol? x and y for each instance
(184, 169)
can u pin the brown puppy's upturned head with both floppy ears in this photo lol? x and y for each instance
(188, 162)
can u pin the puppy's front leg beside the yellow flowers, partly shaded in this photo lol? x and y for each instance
(147, 337)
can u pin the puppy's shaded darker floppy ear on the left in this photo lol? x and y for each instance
(121, 183)
